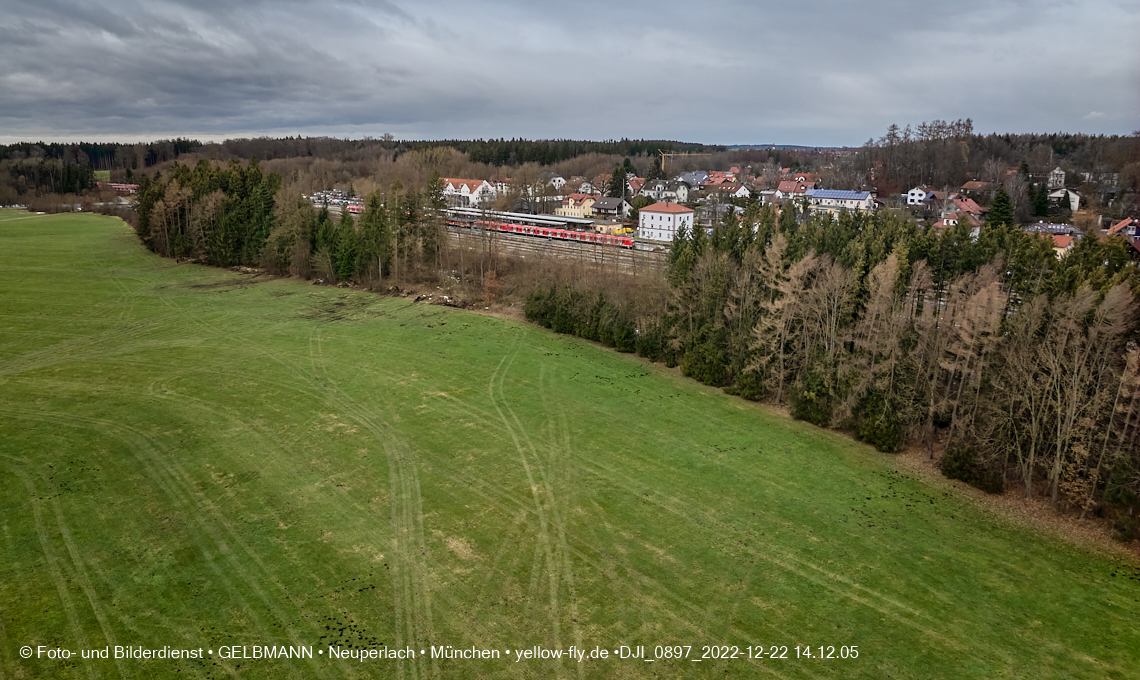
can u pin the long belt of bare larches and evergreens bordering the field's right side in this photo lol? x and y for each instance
(1020, 367)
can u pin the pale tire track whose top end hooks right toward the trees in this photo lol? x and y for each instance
(544, 544)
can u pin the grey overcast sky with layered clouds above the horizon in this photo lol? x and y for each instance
(826, 72)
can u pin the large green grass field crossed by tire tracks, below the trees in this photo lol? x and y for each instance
(197, 458)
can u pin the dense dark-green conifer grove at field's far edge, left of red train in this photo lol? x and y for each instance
(238, 215)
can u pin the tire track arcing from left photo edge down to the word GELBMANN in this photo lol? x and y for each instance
(205, 536)
